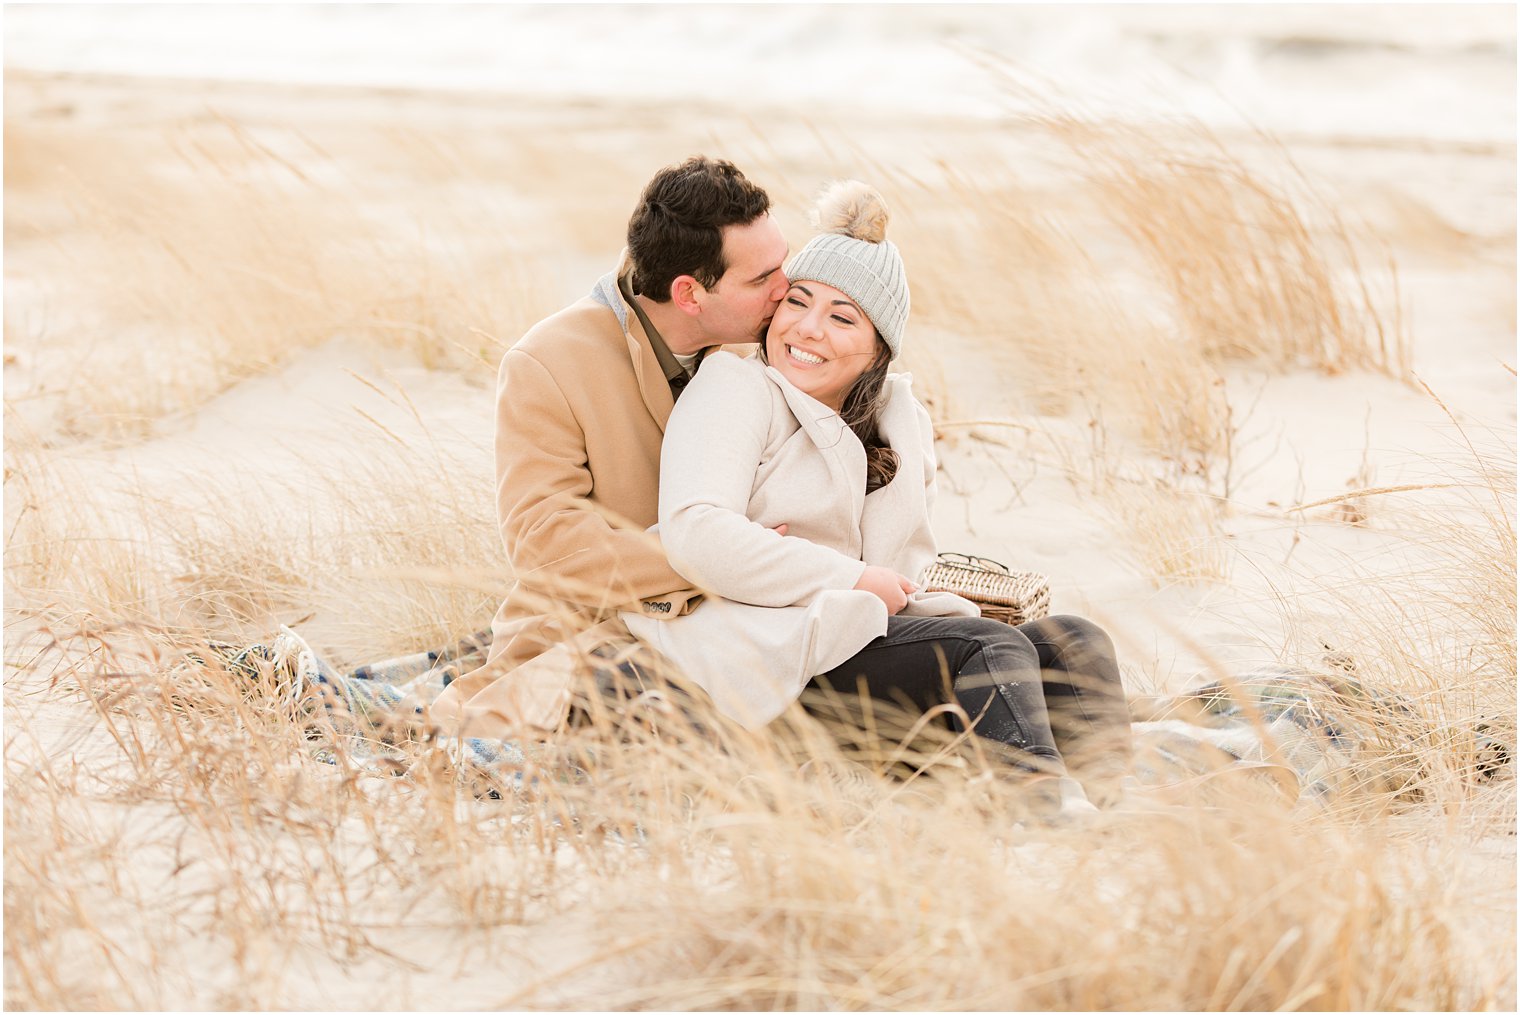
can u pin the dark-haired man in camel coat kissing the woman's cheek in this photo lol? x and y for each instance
(583, 402)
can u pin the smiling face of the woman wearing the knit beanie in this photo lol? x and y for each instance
(820, 341)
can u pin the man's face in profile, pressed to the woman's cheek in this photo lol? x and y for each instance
(741, 306)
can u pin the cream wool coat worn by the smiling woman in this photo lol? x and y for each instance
(747, 452)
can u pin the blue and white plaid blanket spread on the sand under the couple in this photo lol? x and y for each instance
(1322, 733)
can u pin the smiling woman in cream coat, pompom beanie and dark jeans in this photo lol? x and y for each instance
(817, 437)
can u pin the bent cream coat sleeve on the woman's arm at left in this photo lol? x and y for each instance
(712, 452)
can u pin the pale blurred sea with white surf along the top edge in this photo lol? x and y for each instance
(1402, 71)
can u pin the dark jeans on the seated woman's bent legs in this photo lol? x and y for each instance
(1050, 689)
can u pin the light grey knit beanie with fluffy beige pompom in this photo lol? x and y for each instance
(853, 256)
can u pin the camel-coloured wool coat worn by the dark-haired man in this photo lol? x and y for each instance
(581, 414)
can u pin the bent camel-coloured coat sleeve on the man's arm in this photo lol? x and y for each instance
(560, 543)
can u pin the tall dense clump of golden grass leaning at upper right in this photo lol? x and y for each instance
(1255, 270)
